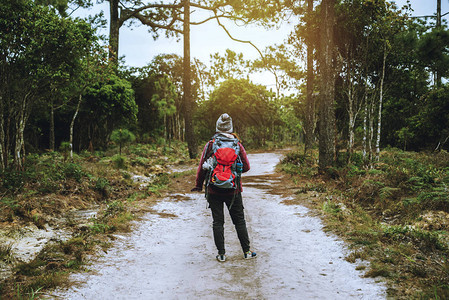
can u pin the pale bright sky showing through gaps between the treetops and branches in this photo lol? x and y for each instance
(138, 47)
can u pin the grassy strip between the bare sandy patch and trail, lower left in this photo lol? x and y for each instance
(50, 269)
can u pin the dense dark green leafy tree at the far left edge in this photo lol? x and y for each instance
(35, 65)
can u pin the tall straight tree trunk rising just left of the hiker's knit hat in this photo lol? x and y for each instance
(188, 103)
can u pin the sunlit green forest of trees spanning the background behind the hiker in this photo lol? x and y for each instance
(388, 73)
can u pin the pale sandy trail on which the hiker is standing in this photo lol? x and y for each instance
(171, 254)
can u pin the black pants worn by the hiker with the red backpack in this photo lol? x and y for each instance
(238, 219)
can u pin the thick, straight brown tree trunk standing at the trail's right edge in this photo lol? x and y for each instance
(327, 88)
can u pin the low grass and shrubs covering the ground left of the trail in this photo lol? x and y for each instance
(52, 187)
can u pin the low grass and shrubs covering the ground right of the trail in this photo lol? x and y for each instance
(394, 214)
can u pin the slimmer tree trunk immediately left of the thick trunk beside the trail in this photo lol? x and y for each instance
(310, 104)
